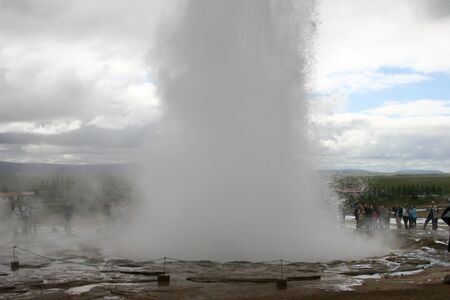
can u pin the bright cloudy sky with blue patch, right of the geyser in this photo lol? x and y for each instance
(383, 76)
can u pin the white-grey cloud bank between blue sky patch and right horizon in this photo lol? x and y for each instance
(393, 136)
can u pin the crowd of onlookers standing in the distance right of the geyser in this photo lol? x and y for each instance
(378, 217)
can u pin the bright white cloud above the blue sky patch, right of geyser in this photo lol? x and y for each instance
(356, 38)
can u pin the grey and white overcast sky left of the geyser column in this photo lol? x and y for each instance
(75, 78)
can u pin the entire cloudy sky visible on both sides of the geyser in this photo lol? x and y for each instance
(76, 87)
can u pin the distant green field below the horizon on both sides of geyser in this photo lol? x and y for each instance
(100, 187)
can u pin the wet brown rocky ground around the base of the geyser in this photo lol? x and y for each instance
(51, 270)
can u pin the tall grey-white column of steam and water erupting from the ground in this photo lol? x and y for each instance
(226, 177)
